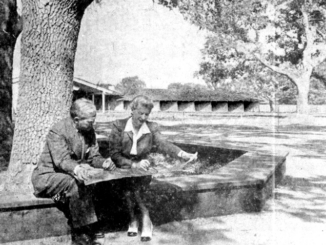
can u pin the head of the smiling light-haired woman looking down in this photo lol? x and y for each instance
(141, 107)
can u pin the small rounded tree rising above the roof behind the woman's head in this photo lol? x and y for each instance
(130, 85)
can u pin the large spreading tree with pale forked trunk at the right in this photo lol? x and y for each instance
(288, 37)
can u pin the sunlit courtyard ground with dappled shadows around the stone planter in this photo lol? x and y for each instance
(296, 215)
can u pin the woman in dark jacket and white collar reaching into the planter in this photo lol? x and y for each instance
(131, 141)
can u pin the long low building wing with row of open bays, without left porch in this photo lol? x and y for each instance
(204, 101)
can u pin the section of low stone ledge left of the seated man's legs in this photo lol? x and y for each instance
(25, 217)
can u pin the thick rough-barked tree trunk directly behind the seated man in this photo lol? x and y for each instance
(49, 42)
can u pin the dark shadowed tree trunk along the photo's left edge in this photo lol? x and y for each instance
(10, 28)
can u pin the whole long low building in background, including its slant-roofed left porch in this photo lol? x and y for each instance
(106, 99)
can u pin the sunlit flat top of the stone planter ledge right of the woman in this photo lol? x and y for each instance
(250, 169)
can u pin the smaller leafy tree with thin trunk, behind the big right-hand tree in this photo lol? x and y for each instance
(225, 68)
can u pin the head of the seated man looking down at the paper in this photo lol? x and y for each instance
(83, 113)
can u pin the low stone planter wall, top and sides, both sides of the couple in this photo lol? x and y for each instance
(243, 185)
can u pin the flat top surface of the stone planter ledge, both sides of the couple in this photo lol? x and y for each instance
(254, 168)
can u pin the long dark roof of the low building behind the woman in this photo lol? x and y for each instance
(170, 95)
